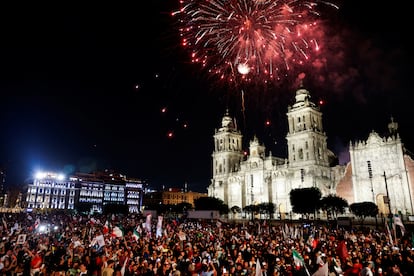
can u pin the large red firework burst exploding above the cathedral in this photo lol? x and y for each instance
(251, 40)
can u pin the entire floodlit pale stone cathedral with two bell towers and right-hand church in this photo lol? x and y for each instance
(379, 170)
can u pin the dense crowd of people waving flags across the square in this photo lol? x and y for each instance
(62, 244)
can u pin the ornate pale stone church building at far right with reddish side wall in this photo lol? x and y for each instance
(380, 171)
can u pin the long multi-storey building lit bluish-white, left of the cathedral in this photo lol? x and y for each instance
(96, 189)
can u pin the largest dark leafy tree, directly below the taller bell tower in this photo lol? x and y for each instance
(305, 201)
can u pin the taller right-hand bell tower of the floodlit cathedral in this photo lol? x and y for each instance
(306, 139)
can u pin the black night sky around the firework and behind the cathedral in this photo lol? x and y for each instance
(86, 88)
